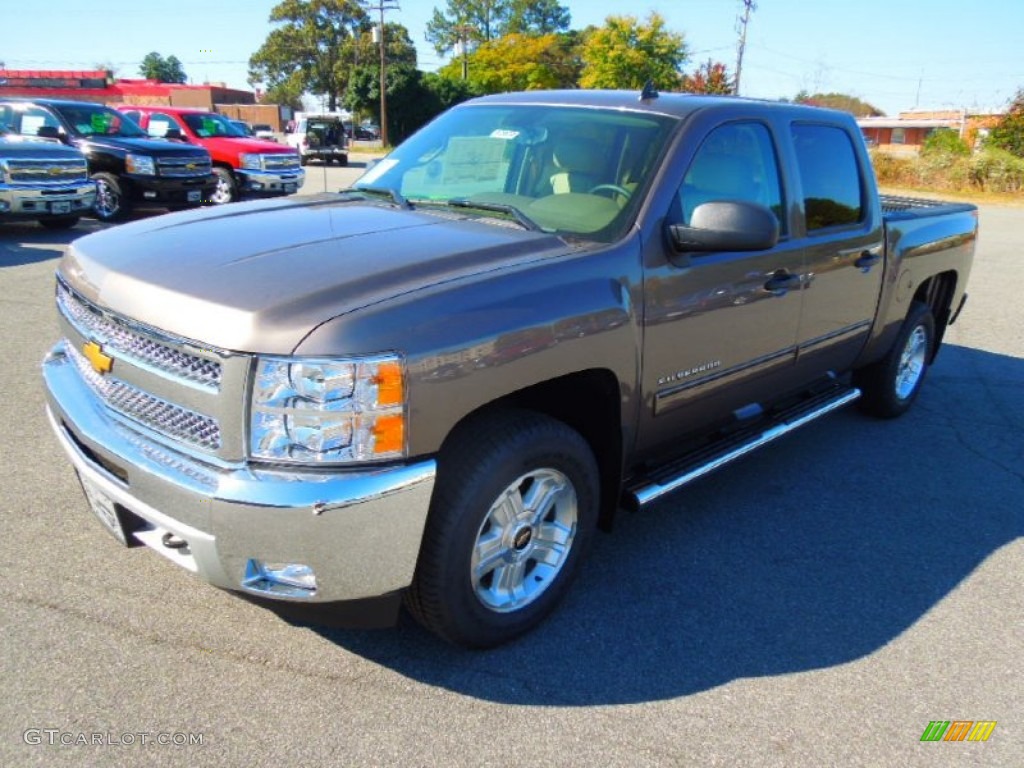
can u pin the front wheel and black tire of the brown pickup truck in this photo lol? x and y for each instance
(511, 455)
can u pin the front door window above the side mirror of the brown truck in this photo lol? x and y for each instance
(736, 162)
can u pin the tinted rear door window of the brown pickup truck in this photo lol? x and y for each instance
(830, 176)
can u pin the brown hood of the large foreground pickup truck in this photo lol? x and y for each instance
(260, 277)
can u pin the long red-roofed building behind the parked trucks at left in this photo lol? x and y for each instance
(97, 86)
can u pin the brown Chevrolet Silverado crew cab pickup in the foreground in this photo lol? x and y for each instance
(541, 310)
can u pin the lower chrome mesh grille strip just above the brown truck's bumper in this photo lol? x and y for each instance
(165, 418)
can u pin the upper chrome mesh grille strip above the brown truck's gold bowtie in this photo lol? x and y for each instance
(141, 349)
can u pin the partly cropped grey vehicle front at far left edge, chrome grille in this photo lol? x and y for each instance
(45, 181)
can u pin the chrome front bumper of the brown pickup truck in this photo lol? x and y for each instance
(360, 532)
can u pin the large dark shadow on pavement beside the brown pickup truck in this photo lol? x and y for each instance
(817, 552)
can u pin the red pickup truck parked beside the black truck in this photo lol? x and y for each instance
(244, 166)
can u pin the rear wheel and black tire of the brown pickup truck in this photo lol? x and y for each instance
(891, 386)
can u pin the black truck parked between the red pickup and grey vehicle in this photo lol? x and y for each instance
(129, 167)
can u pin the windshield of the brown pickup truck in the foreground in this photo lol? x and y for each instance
(570, 170)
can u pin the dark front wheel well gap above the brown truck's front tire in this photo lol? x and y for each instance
(589, 402)
